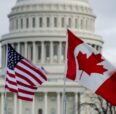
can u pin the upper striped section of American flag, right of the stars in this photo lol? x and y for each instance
(30, 73)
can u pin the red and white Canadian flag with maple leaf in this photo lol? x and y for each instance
(89, 68)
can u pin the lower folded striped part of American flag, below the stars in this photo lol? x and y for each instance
(24, 92)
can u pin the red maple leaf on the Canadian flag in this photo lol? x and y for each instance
(90, 64)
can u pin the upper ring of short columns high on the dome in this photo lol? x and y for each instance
(84, 23)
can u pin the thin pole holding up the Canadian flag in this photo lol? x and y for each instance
(64, 91)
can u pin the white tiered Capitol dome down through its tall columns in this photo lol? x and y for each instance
(35, 21)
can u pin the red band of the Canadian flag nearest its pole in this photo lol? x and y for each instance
(71, 64)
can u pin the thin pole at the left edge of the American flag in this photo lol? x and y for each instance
(5, 92)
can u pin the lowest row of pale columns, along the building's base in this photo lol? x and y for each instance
(19, 109)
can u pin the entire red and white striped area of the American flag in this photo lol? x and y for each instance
(24, 79)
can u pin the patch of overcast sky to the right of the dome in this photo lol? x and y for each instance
(106, 26)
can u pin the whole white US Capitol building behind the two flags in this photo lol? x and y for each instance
(37, 30)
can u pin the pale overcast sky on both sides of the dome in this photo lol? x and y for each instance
(105, 23)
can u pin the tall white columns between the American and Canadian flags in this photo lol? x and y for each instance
(43, 52)
